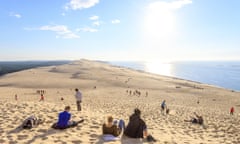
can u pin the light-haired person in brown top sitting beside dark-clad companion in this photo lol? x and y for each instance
(112, 128)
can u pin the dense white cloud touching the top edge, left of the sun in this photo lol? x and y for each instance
(80, 4)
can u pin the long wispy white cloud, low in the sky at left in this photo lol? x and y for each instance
(61, 30)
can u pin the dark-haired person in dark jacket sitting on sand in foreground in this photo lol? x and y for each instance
(136, 127)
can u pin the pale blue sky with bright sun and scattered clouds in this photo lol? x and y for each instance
(120, 30)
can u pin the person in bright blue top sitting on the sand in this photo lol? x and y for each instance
(64, 120)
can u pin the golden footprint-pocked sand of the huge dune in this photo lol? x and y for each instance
(105, 91)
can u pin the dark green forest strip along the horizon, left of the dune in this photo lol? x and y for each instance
(15, 66)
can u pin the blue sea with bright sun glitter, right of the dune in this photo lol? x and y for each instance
(224, 74)
